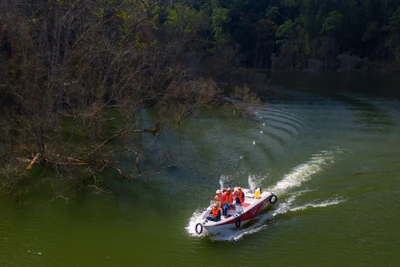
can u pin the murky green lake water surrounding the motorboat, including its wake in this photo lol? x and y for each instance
(329, 147)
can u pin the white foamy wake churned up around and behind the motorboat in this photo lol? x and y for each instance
(285, 190)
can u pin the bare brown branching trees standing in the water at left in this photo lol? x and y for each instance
(76, 76)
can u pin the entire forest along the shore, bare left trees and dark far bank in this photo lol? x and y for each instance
(75, 74)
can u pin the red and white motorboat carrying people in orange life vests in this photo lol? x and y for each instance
(255, 202)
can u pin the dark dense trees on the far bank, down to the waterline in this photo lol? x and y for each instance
(301, 34)
